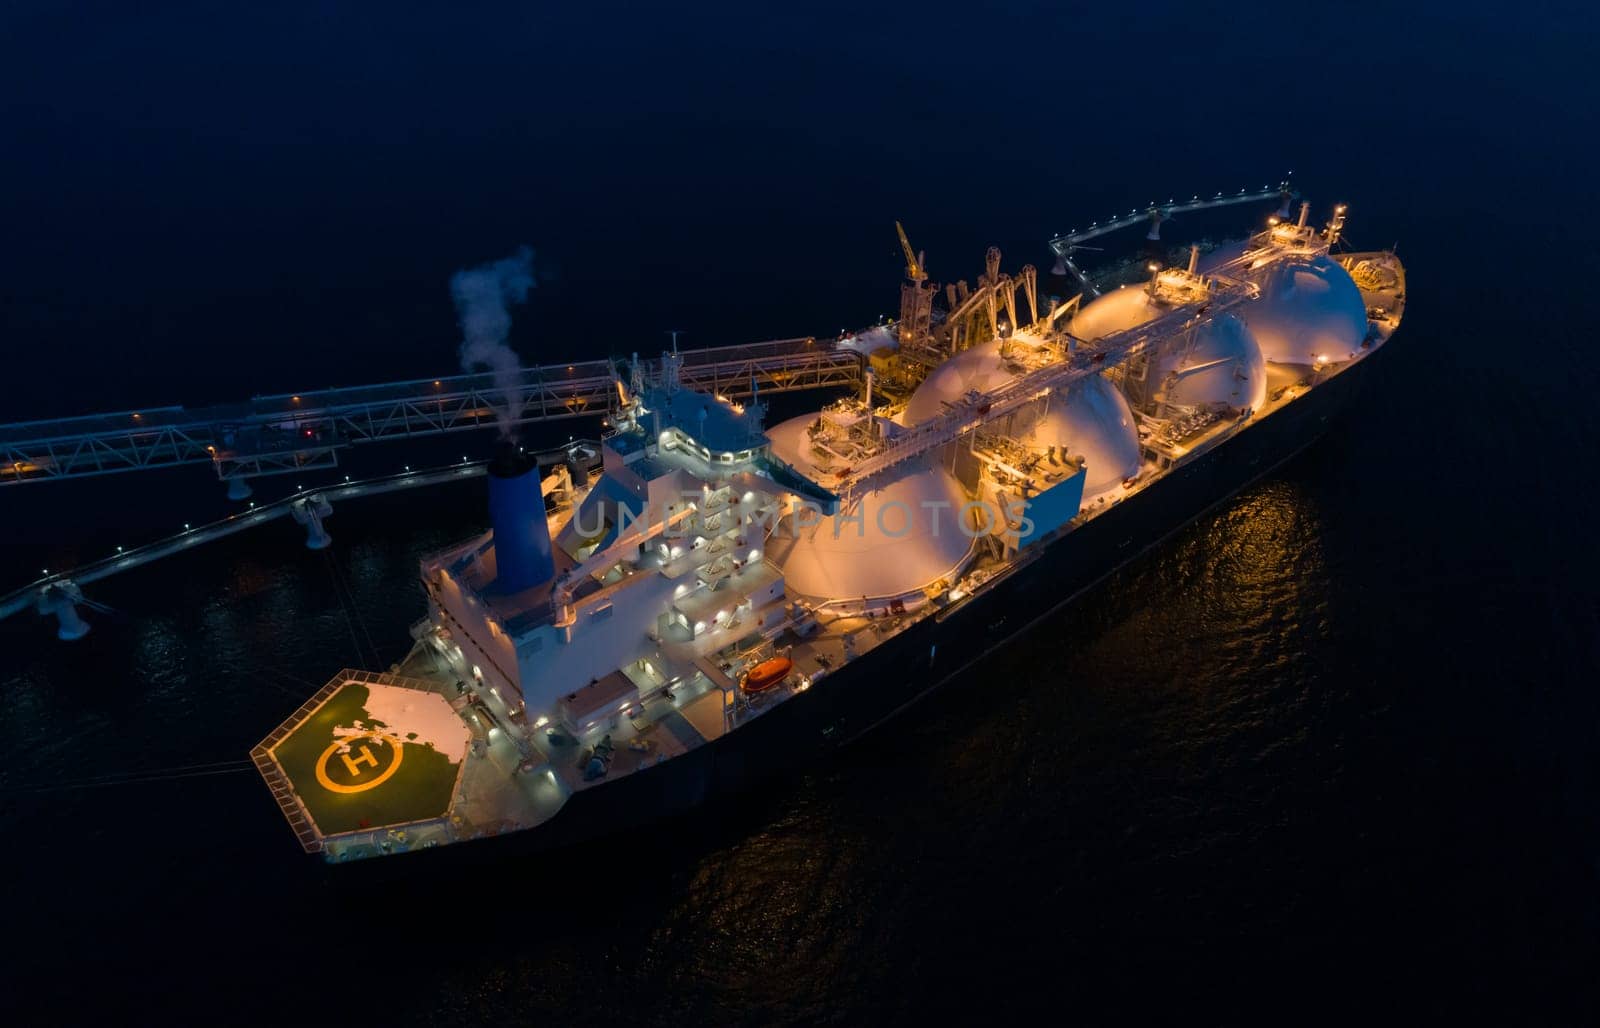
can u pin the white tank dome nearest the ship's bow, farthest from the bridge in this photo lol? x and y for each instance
(1308, 310)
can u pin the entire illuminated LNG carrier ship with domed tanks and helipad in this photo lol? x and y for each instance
(706, 600)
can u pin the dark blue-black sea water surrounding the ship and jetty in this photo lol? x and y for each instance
(1332, 749)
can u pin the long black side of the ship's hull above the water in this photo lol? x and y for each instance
(879, 685)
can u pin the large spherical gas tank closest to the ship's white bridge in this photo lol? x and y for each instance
(898, 539)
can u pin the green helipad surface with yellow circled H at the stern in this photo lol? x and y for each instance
(372, 755)
